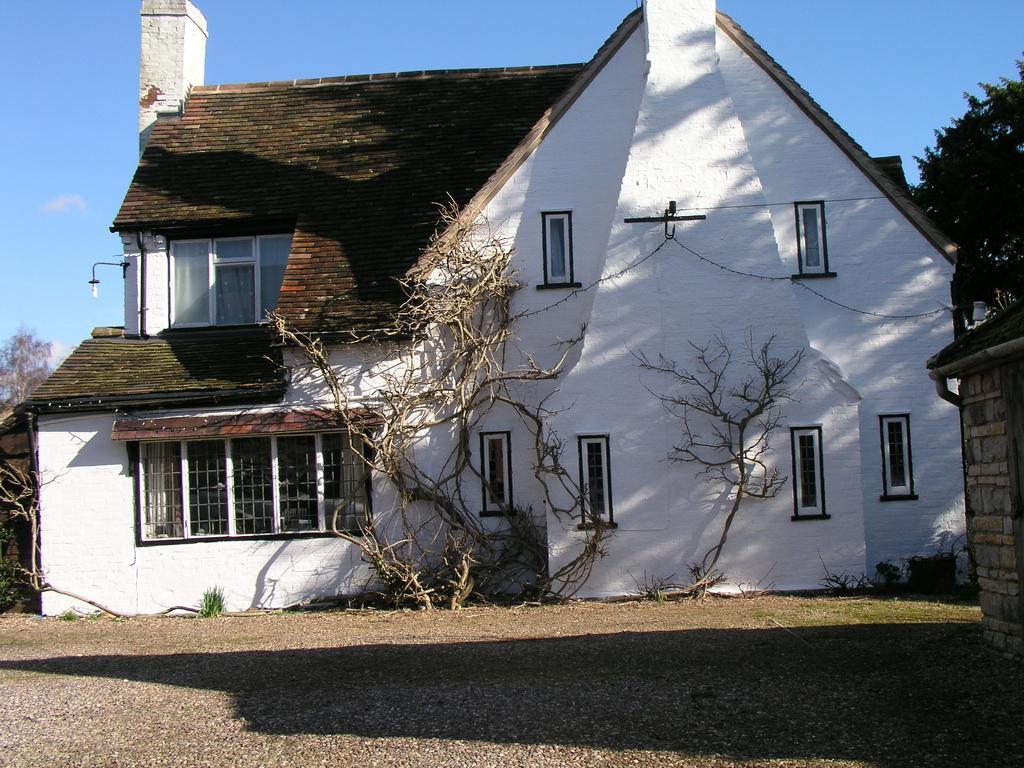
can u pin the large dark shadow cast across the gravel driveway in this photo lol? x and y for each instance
(893, 695)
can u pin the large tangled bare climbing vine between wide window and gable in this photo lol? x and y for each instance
(449, 361)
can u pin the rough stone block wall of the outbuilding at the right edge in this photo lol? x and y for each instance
(994, 532)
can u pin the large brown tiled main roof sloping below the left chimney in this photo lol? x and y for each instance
(358, 164)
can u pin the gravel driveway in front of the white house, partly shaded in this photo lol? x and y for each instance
(770, 681)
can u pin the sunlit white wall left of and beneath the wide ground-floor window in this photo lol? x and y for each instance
(89, 540)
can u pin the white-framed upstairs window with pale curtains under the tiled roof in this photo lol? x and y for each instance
(227, 281)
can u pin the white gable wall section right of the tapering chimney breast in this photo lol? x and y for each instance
(885, 267)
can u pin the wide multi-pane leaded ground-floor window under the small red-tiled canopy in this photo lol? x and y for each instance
(250, 487)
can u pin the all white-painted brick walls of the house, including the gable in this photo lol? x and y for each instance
(678, 114)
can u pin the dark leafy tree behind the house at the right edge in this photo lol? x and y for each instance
(972, 185)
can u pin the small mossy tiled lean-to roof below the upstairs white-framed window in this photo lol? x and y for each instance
(202, 366)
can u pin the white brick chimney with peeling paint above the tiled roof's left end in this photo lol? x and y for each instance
(173, 61)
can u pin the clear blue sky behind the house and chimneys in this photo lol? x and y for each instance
(889, 71)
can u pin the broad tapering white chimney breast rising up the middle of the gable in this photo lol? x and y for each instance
(667, 518)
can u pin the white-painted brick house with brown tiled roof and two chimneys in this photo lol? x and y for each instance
(187, 451)
